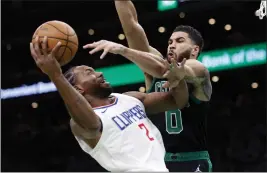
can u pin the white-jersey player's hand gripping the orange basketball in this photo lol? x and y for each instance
(45, 60)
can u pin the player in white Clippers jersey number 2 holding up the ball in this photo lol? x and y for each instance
(112, 128)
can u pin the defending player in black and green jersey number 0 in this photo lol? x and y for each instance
(184, 130)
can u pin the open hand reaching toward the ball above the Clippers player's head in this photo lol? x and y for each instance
(105, 45)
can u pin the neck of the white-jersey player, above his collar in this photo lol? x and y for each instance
(97, 102)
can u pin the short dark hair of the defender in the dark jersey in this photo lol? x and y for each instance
(193, 34)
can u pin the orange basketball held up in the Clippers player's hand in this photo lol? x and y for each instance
(59, 31)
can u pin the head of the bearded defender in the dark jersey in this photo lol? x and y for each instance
(185, 42)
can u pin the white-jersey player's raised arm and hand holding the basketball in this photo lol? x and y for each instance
(78, 106)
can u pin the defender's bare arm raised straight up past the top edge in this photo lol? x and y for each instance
(135, 34)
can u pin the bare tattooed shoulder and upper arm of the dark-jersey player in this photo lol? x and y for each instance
(199, 77)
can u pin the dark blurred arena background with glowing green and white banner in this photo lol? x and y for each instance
(35, 131)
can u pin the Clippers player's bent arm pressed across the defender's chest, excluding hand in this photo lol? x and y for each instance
(156, 102)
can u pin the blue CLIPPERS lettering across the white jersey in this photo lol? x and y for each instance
(126, 118)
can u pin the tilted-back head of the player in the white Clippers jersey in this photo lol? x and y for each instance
(88, 82)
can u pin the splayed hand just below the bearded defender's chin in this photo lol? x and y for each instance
(174, 74)
